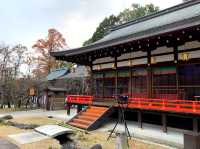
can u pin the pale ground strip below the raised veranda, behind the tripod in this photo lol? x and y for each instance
(149, 132)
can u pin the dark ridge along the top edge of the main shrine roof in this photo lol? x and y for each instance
(156, 14)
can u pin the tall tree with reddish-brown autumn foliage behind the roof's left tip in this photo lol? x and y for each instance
(54, 42)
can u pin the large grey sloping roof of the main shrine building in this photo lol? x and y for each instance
(178, 17)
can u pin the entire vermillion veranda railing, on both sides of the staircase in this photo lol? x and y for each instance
(181, 106)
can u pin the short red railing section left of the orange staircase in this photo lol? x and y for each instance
(79, 99)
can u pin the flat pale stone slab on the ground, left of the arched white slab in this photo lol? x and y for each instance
(28, 137)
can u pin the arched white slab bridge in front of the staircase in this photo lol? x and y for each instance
(53, 130)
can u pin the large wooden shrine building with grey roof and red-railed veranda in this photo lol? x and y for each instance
(155, 60)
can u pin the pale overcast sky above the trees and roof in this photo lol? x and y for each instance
(24, 21)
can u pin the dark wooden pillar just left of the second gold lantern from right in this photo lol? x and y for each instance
(149, 74)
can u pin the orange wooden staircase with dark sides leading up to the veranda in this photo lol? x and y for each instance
(91, 118)
